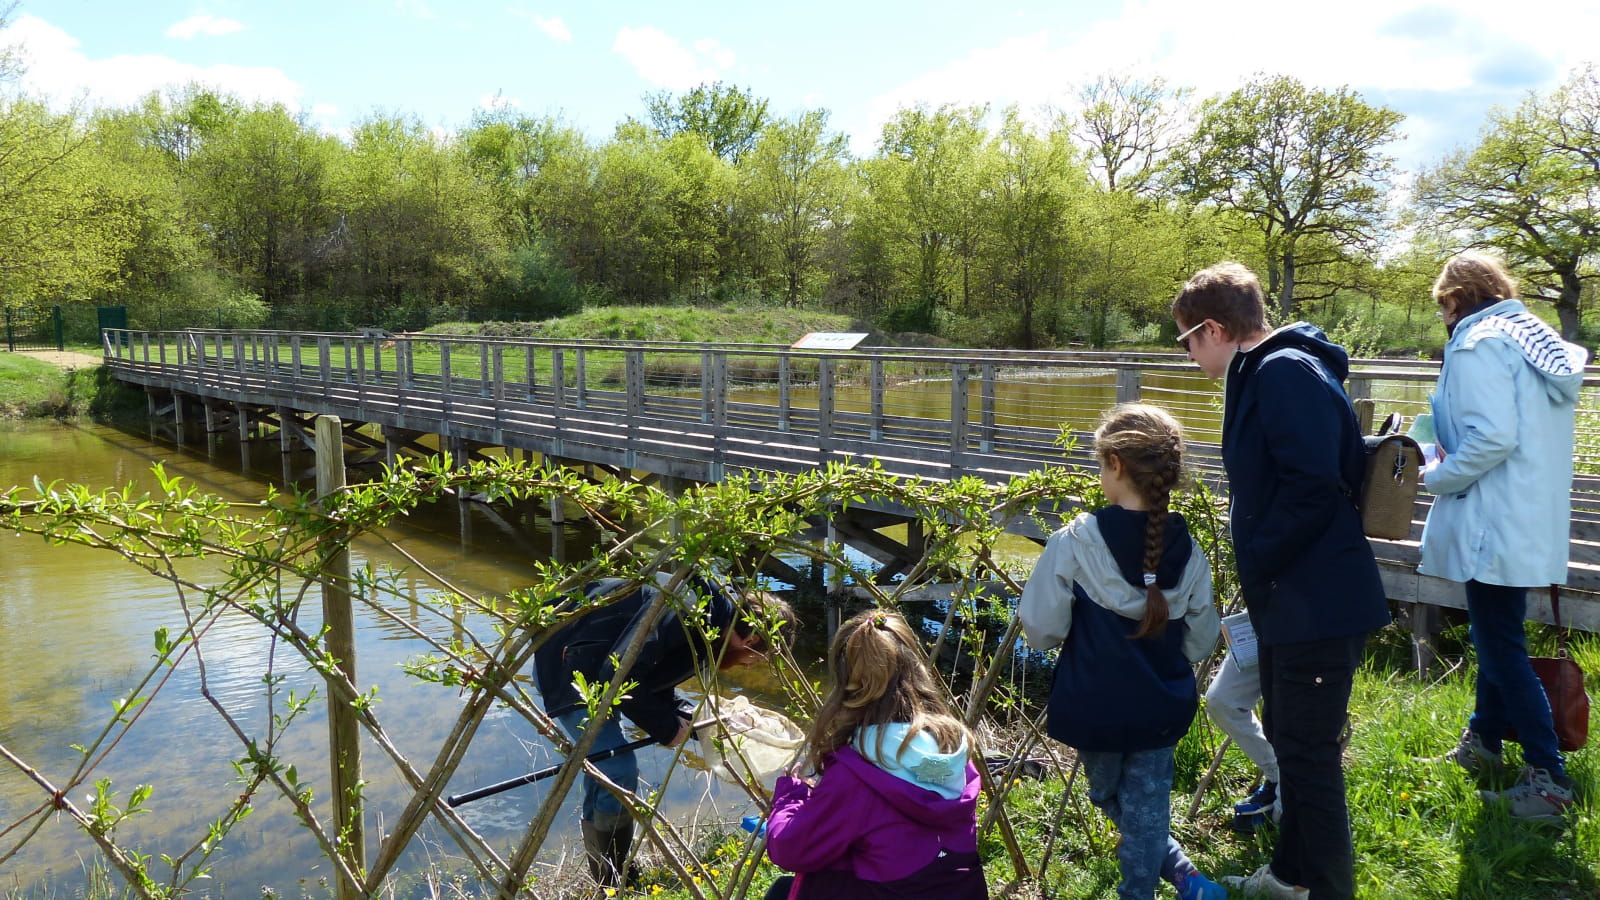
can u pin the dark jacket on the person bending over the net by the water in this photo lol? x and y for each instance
(671, 654)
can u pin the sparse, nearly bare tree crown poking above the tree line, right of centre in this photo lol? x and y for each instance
(1129, 127)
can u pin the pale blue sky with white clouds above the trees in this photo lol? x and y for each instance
(591, 63)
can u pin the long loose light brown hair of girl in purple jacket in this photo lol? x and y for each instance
(881, 678)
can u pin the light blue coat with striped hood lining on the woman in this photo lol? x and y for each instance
(1503, 412)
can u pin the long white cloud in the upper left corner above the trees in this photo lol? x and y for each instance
(58, 71)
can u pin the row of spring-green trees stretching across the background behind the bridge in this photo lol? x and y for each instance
(967, 222)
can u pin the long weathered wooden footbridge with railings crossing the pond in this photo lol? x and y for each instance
(694, 412)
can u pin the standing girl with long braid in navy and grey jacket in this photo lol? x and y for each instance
(1126, 593)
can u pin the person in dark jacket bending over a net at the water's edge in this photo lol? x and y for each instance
(671, 654)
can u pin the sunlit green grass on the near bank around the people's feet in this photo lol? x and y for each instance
(1422, 830)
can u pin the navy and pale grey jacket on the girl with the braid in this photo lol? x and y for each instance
(1087, 593)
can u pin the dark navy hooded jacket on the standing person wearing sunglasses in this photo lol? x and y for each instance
(1294, 456)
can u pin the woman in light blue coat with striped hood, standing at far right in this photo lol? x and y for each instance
(1503, 414)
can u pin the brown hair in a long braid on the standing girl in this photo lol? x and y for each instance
(1150, 444)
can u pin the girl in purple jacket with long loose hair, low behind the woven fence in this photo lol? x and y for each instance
(892, 806)
